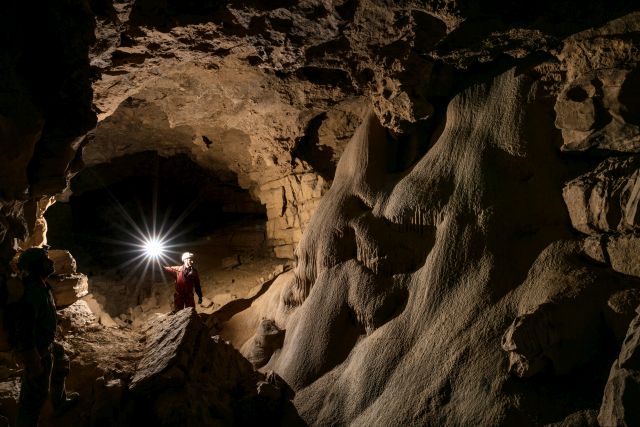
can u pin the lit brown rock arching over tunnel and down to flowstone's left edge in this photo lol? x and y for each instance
(270, 93)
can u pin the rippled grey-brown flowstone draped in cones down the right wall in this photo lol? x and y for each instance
(364, 313)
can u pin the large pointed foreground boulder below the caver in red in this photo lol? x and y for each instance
(188, 378)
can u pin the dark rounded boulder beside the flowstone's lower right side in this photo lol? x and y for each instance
(547, 337)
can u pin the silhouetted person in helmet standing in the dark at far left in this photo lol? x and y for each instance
(44, 361)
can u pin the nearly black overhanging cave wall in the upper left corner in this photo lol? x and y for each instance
(45, 110)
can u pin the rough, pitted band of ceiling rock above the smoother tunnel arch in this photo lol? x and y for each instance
(312, 53)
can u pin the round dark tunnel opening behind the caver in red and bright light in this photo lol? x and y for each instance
(194, 208)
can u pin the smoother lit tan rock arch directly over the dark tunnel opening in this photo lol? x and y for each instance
(233, 119)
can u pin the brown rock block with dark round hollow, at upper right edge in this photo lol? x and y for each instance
(596, 109)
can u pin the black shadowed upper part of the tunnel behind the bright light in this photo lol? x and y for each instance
(140, 195)
